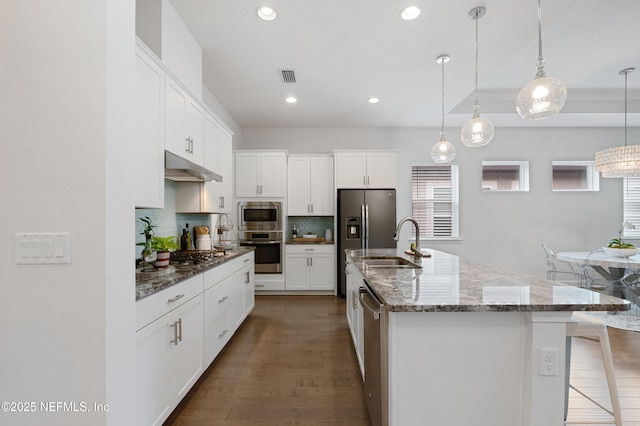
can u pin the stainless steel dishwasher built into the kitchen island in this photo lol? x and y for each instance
(372, 308)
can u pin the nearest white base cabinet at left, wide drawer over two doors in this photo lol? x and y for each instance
(169, 349)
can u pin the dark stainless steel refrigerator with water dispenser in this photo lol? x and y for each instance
(366, 219)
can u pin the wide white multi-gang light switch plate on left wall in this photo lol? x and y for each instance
(42, 248)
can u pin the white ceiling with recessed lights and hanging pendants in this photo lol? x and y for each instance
(345, 51)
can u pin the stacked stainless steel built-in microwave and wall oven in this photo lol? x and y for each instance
(260, 225)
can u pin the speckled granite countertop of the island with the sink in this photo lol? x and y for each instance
(446, 283)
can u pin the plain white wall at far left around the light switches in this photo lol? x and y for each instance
(67, 335)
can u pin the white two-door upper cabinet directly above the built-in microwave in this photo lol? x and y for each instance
(261, 174)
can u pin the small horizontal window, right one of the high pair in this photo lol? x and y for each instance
(575, 176)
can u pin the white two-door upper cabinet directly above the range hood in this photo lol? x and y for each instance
(184, 123)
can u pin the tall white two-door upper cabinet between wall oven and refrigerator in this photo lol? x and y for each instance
(310, 186)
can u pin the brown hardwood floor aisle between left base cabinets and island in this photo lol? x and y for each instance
(291, 363)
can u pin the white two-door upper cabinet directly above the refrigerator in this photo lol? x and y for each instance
(366, 169)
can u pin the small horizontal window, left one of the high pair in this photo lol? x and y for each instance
(505, 175)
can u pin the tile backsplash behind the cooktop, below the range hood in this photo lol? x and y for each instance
(168, 222)
